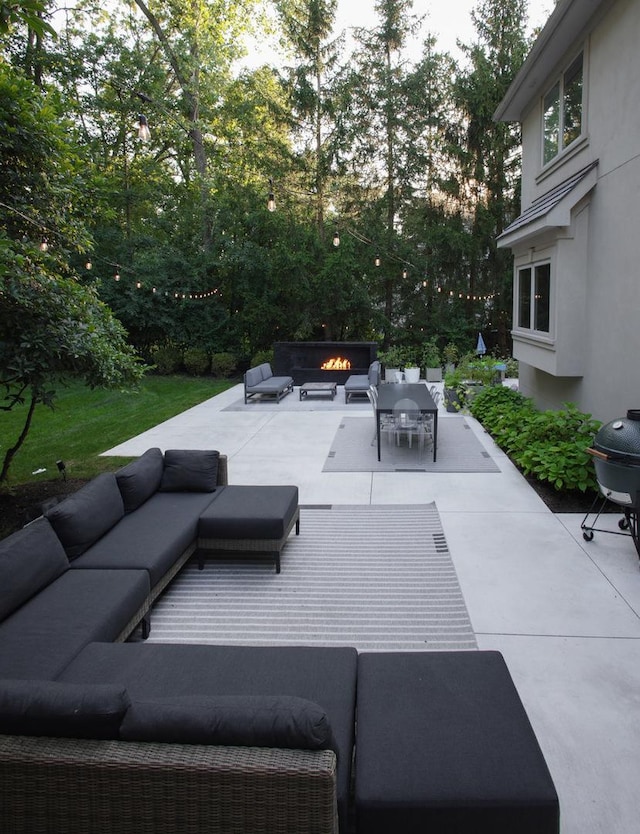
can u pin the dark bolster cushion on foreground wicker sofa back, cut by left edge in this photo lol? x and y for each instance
(65, 710)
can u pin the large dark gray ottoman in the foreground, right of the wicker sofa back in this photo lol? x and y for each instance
(444, 744)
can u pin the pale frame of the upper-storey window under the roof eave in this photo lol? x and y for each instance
(558, 89)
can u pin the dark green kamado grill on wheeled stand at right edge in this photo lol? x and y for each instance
(616, 457)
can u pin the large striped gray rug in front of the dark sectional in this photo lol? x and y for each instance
(379, 578)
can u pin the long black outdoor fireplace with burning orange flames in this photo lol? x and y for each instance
(323, 361)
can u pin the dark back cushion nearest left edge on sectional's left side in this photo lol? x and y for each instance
(29, 559)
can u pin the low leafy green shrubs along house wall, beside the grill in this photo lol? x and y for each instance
(549, 445)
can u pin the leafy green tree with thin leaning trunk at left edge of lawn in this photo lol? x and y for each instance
(52, 326)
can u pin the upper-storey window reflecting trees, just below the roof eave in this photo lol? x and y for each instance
(562, 111)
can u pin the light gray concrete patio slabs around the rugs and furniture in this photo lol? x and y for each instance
(565, 613)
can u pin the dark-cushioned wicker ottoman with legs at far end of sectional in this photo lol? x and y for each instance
(250, 519)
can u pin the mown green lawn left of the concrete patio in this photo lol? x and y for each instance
(85, 423)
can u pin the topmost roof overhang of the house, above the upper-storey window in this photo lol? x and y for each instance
(570, 19)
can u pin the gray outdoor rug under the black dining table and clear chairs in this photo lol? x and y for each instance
(459, 450)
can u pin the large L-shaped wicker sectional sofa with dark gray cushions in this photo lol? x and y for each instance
(102, 735)
